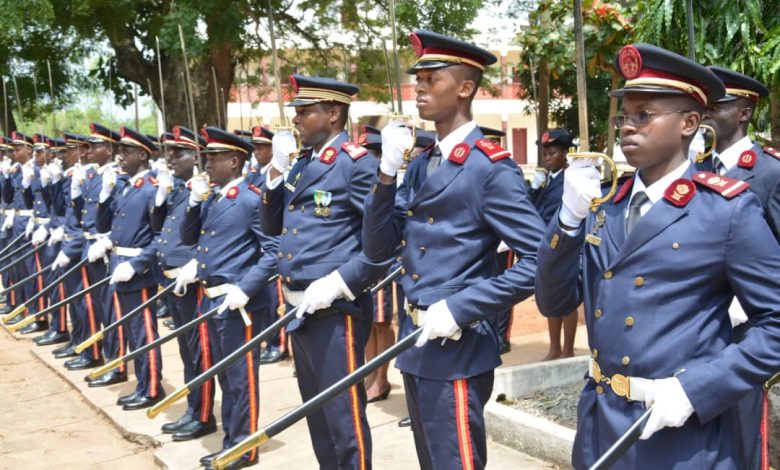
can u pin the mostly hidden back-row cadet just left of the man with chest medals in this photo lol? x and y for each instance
(276, 349)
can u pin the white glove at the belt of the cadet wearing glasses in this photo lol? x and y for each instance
(671, 407)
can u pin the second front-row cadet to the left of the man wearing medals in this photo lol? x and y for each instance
(171, 202)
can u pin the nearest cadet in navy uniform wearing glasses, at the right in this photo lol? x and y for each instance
(657, 268)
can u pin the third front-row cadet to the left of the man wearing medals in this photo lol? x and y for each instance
(124, 216)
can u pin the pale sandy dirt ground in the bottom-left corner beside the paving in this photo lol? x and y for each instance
(46, 423)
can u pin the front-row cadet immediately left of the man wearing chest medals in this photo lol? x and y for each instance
(234, 261)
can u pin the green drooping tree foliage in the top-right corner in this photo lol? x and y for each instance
(744, 36)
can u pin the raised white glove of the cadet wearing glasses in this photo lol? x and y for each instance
(581, 184)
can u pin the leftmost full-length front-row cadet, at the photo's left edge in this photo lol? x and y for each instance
(17, 215)
